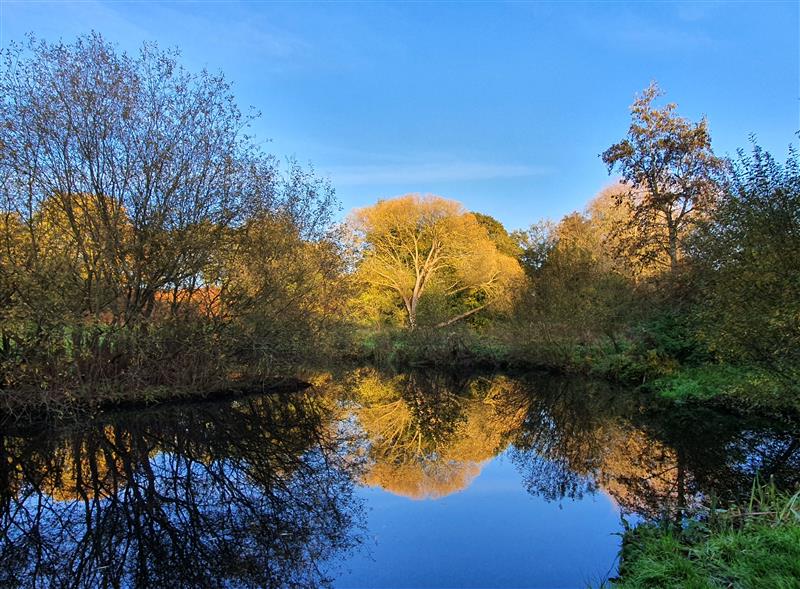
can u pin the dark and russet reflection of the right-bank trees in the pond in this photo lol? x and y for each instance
(586, 436)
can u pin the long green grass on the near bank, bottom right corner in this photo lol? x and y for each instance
(756, 545)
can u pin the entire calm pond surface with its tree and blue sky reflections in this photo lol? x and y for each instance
(367, 480)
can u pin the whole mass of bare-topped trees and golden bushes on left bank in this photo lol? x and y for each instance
(145, 239)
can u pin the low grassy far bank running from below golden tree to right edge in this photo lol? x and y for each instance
(743, 389)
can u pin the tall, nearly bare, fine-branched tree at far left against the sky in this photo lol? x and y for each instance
(102, 142)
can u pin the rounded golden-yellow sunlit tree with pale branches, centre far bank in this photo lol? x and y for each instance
(413, 246)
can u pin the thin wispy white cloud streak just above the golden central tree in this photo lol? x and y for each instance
(415, 174)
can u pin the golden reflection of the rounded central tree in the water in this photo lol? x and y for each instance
(431, 433)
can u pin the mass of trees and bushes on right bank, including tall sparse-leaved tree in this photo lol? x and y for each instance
(723, 322)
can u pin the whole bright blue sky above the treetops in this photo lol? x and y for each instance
(502, 106)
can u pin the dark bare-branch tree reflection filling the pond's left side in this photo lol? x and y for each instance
(253, 493)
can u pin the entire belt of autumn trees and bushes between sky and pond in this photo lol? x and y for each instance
(148, 244)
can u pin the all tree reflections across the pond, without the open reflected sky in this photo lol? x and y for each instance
(260, 492)
